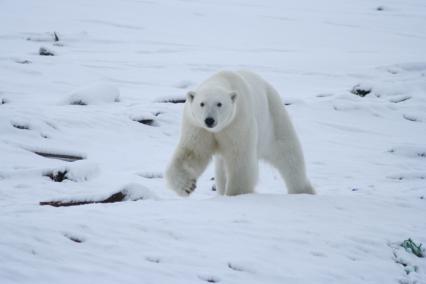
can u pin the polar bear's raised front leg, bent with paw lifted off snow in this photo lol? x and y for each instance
(190, 159)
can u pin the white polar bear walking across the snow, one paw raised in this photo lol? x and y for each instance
(238, 118)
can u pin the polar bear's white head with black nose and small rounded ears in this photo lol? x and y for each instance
(212, 109)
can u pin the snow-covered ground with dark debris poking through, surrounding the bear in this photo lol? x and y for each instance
(101, 104)
